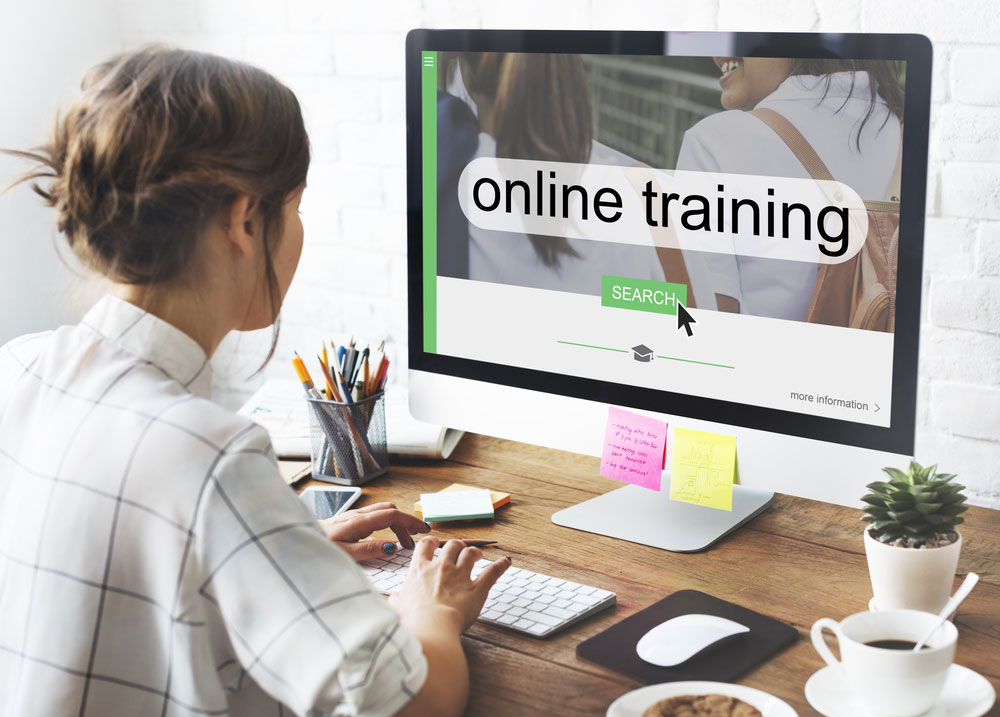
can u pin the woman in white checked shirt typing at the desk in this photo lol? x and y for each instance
(153, 561)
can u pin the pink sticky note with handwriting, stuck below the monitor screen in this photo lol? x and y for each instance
(634, 448)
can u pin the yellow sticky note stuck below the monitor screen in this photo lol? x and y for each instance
(703, 468)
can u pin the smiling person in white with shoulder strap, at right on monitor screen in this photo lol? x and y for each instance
(850, 112)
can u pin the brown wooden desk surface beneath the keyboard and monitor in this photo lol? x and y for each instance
(799, 561)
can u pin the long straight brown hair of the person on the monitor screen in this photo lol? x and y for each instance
(542, 111)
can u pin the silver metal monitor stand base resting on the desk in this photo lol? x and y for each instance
(640, 515)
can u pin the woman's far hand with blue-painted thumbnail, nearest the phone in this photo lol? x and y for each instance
(351, 529)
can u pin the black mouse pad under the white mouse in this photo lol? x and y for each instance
(615, 647)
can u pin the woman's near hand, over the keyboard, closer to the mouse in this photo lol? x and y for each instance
(440, 590)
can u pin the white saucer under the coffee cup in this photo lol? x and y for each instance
(965, 694)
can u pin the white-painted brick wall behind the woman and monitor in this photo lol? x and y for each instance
(344, 58)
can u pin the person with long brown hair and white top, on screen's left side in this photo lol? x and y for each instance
(538, 106)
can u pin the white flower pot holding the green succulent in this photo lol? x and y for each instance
(911, 578)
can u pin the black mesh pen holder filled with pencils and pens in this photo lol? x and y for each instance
(348, 439)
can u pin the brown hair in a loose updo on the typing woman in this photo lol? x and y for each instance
(159, 142)
